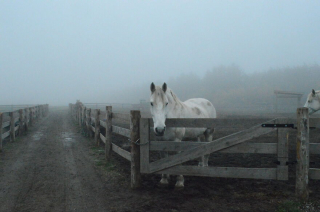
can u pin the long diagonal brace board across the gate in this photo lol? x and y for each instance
(210, 147)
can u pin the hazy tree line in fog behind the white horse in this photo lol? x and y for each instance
(231, 87)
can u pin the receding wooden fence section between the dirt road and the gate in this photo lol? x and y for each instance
(92, 125)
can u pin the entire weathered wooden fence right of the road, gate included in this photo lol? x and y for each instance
(141, 146)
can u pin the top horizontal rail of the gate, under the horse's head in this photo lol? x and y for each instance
(208, 122)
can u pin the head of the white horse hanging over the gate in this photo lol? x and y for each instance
(158, 108)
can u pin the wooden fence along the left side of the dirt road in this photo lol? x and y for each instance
(15, 122)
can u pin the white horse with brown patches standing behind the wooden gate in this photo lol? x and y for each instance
(165, 104)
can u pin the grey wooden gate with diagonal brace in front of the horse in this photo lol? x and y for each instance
(233, 143)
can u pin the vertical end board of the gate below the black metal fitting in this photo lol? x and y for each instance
(283, 153)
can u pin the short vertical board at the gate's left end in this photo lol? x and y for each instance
(145, 147)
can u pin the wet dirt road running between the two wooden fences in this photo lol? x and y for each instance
(50, 169)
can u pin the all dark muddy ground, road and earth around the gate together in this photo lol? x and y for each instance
(54, 167)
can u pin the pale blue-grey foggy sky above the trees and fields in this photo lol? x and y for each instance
(58, 51)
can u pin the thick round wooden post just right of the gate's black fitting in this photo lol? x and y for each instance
(302, 172)
